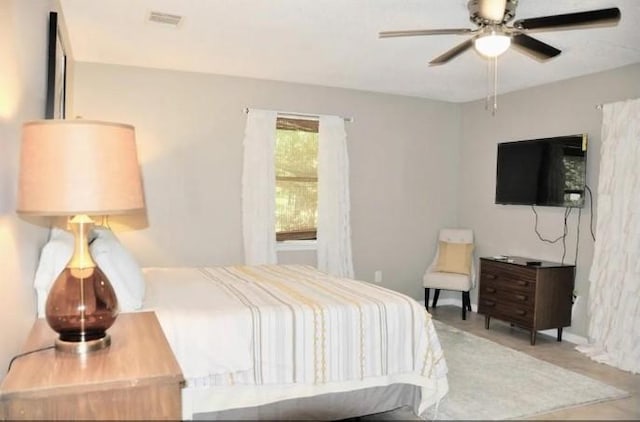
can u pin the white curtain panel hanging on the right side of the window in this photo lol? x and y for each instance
(334, 226)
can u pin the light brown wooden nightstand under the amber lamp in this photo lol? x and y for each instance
(137, 377)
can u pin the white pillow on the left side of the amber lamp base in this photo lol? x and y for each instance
(55, 255)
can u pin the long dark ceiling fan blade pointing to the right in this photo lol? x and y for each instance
(601, 17)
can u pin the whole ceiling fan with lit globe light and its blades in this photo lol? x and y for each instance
(492, 36)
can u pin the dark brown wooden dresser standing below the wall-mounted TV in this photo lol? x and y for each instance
(535, 295)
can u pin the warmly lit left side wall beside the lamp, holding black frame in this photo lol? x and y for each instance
(23, 52)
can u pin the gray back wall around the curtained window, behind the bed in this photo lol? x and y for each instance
(404, 161)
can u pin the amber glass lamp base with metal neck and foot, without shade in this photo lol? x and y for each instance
(82, 304)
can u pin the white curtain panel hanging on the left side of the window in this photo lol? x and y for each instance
(259, 188)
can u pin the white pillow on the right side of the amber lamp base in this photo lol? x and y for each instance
(120, 267)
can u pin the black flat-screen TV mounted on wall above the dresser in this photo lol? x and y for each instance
(547, 172)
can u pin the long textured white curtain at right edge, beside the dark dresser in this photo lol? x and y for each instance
(614, 295)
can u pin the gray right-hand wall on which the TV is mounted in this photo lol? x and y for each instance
(562, 108)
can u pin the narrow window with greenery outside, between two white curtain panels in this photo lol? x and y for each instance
(296, 169)
